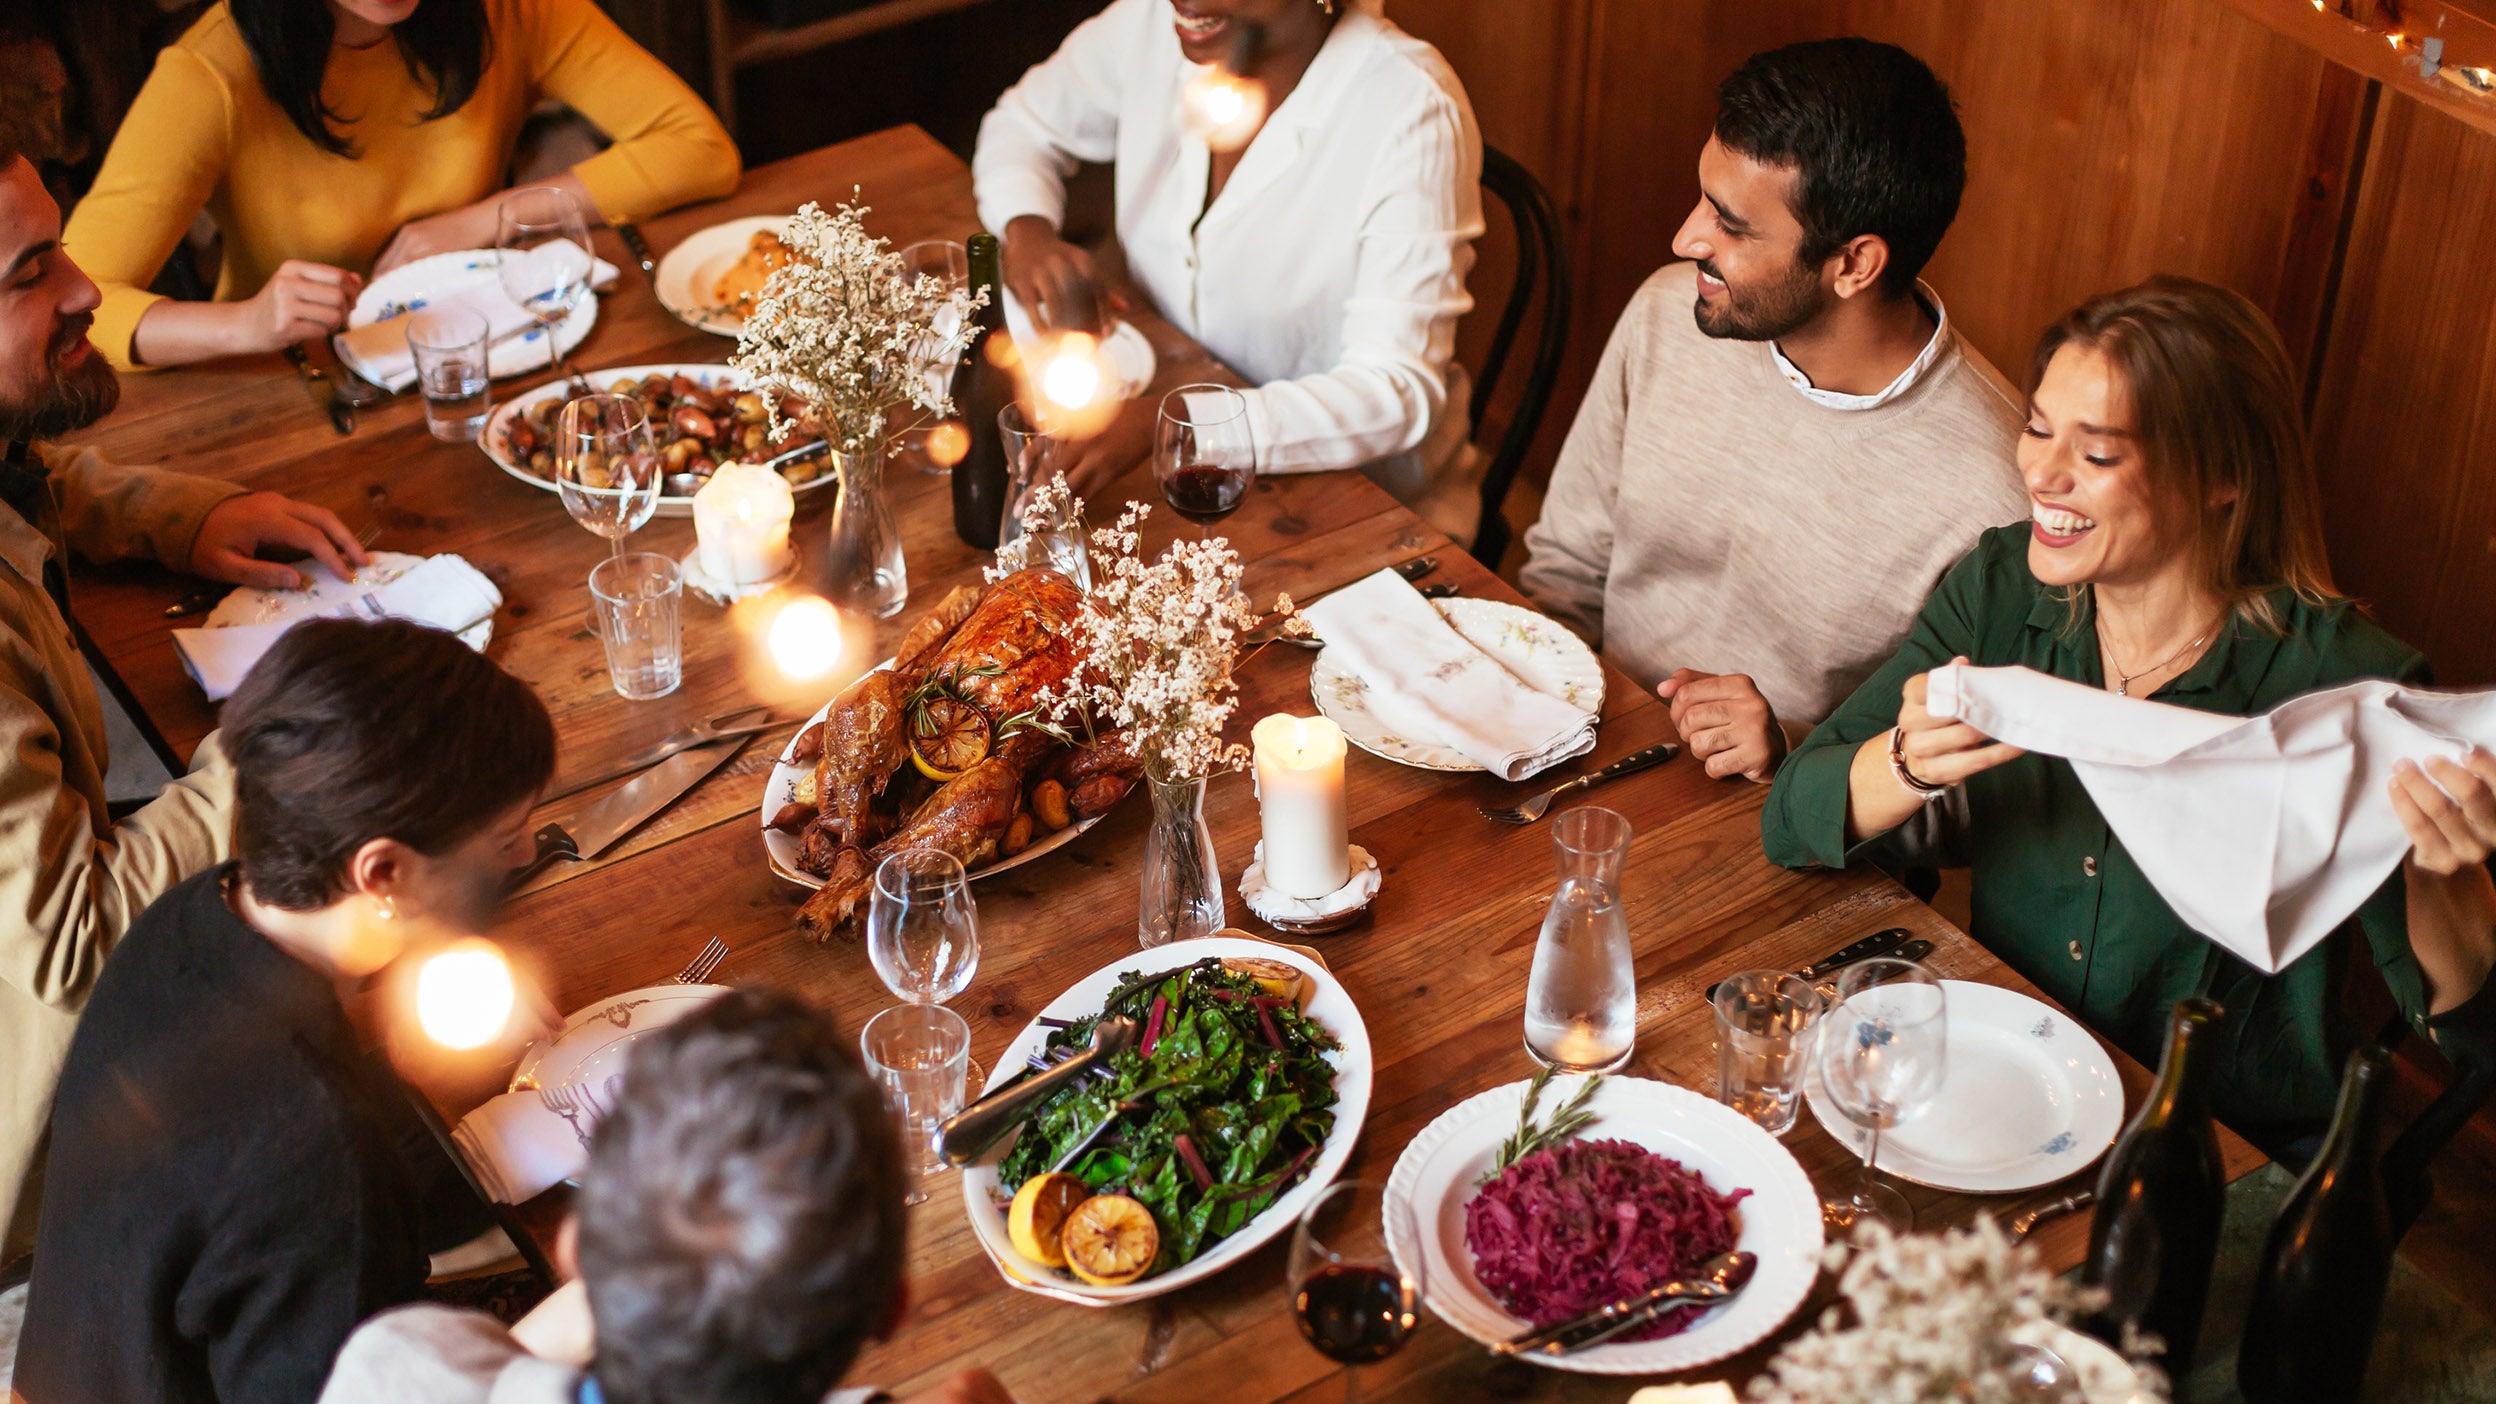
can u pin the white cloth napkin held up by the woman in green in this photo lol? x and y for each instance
(2263, 833)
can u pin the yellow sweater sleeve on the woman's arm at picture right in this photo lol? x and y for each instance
(668, 146)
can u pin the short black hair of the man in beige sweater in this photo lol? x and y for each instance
(1871, 136)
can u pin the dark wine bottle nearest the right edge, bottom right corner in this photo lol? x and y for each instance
(2323, 1278)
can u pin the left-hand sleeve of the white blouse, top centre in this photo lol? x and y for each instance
(1060, 116)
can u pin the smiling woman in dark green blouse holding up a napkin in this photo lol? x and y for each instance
(2175, 553)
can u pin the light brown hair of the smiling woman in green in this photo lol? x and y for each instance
(2218, 416)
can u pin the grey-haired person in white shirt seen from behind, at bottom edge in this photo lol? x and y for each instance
(738, 1240)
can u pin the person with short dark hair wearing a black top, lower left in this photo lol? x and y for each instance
(233, 1180)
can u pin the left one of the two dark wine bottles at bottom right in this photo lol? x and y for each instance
(2160, 1198)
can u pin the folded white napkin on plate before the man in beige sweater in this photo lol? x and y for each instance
(1429, 683)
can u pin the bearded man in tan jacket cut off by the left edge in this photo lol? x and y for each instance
(74, 878)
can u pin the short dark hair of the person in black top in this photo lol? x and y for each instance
(353, 731)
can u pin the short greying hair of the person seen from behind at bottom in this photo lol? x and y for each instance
(740, 1218)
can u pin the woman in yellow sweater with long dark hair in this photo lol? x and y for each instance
(336, 139)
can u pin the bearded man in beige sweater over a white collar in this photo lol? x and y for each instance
(1786, 443)
